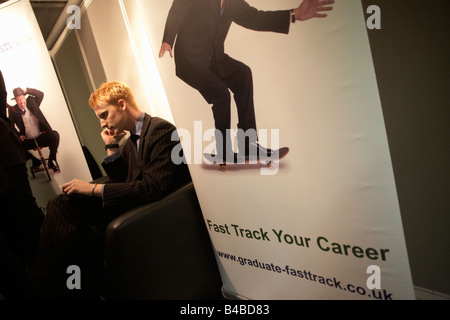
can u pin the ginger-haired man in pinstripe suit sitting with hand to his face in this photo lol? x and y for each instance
(140, 169)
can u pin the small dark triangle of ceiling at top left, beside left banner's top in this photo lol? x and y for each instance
(47, 13)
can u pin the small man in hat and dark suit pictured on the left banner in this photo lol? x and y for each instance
(28, 118)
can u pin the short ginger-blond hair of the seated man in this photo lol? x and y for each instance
(111, 93)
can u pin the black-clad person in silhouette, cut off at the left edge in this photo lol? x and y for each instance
(20, 217)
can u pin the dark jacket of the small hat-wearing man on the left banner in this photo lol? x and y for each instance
(34, 101)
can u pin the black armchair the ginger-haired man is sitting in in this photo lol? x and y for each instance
(161, 251)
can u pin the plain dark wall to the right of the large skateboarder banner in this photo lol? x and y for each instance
(411, 53)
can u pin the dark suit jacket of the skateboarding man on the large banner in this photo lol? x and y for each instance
(200, 32)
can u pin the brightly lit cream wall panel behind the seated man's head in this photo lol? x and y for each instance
(123, 53)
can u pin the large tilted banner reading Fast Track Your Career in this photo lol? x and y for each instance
(324, 222)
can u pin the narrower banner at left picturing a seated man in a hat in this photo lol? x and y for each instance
(26, 64)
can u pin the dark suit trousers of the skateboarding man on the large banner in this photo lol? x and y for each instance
(215, 89)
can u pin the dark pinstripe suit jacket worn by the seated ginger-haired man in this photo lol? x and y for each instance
(156, 174)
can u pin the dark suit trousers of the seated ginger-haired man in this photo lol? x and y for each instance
(72, 235)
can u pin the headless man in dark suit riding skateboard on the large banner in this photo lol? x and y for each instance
(200, 28)
